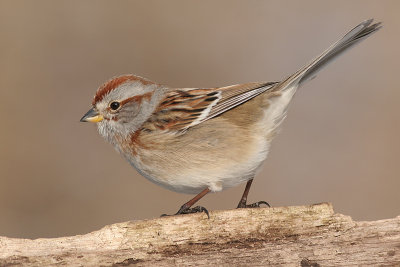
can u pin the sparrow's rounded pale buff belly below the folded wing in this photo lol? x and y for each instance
(207, 157)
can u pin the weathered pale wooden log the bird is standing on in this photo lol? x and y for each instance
(288, 236)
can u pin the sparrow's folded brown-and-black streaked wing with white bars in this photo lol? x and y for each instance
(184, 108)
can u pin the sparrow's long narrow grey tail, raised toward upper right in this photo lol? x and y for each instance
(353, 37)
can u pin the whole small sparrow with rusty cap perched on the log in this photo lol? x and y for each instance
(197, 140)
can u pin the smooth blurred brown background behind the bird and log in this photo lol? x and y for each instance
(340, 142)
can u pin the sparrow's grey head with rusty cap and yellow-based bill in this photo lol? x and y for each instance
(122, 105)
